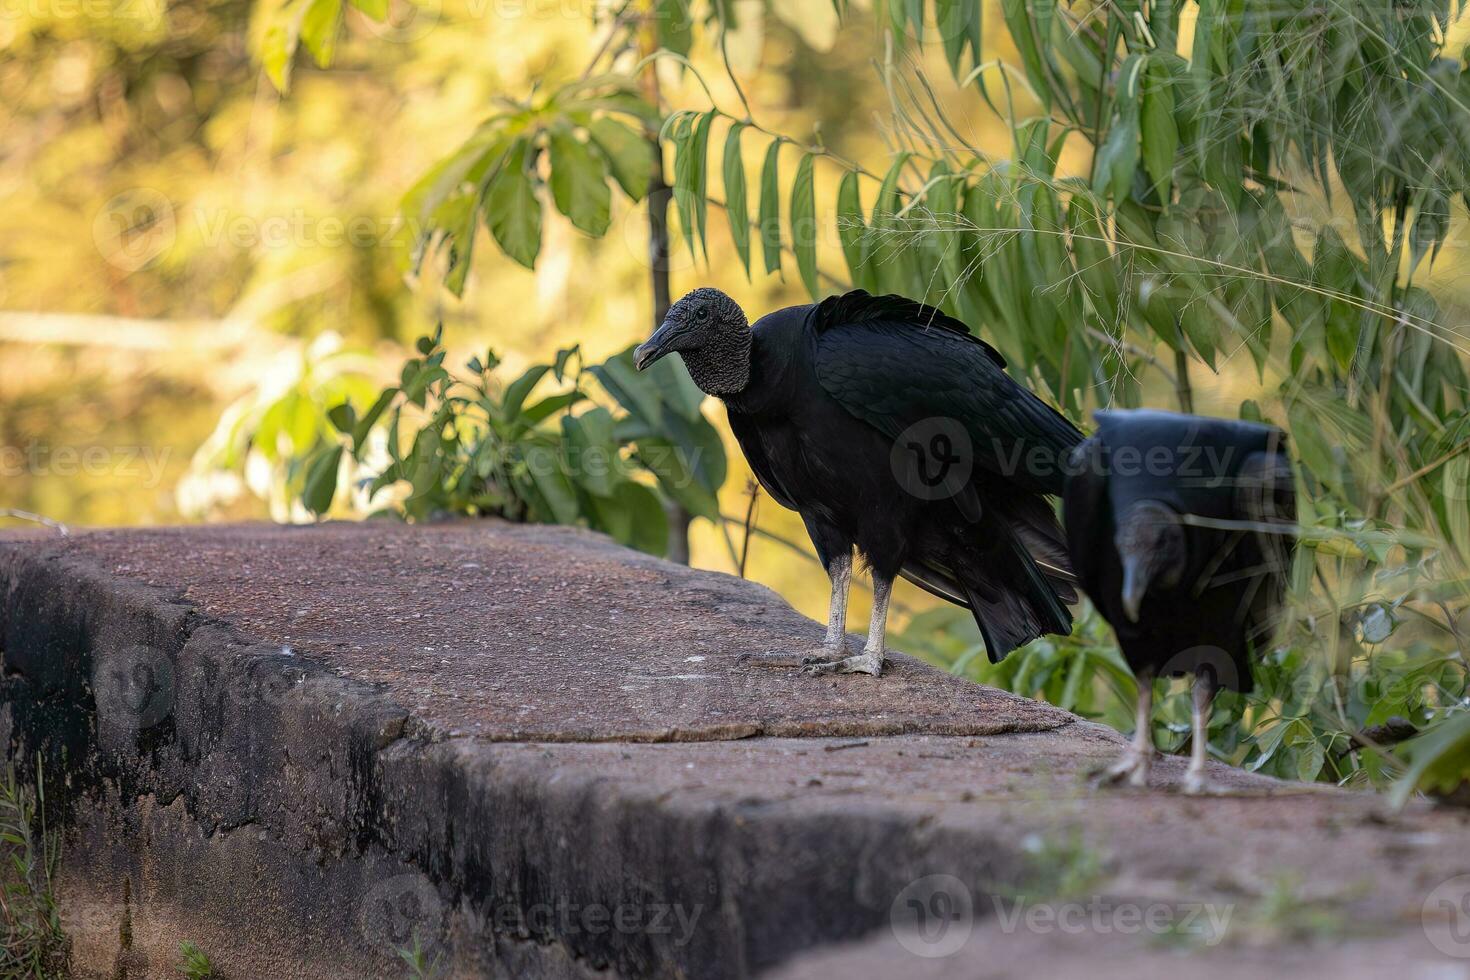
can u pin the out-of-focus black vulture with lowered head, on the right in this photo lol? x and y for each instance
(1183, 531)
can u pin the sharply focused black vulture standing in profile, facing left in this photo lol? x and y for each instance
(894, 431)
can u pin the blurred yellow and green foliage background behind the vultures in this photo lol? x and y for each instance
(214, 243)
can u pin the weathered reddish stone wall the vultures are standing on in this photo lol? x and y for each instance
(301, 749)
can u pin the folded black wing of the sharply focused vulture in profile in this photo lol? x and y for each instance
(894, 364)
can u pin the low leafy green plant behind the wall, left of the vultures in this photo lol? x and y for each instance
(608, 450)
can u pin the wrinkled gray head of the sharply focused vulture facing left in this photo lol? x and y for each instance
(711, 333)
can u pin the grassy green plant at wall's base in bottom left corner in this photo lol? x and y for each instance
(32, 941)
